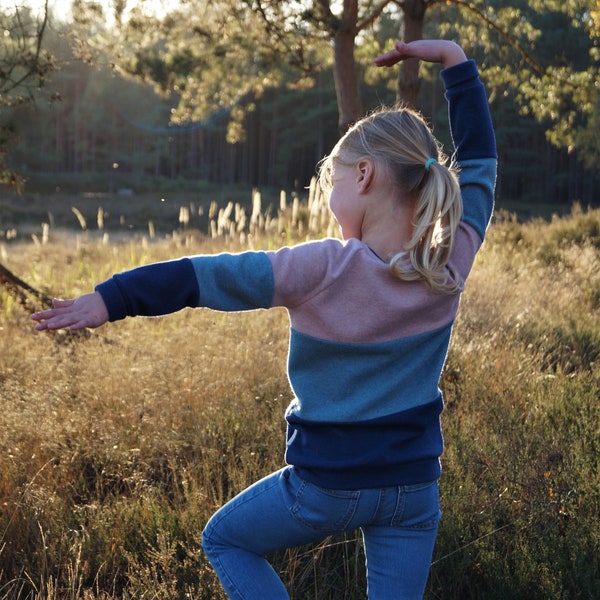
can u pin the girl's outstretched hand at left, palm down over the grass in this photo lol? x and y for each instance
(88, 310)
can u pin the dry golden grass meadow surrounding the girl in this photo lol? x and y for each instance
(116, 445)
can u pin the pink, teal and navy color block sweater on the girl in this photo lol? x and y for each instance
(366, 350)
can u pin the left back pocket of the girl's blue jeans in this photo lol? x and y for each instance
(323, 509)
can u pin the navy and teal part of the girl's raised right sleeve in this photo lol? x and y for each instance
(474, 142)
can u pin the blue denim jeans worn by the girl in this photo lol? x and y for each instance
(399, 526)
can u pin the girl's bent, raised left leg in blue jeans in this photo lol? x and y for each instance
(274, 513)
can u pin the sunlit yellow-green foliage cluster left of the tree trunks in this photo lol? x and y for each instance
(213, 55)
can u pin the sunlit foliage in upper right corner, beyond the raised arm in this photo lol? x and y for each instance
(544, 56)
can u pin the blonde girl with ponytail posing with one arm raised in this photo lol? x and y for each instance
(371, 318)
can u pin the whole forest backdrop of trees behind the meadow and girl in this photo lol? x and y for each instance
(255, 93)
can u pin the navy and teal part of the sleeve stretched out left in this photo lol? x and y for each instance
(228, 282)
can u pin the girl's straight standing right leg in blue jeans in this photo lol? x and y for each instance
(399, 550)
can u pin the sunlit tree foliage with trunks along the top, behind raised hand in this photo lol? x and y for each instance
(227, 52)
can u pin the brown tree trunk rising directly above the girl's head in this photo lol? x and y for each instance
(344, 69)
